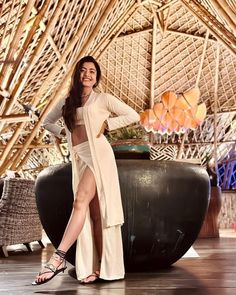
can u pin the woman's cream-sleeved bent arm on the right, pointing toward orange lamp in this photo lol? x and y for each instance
(125, 115)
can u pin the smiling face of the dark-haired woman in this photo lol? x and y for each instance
(88, 75)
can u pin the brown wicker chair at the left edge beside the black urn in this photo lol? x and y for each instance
(19, 219)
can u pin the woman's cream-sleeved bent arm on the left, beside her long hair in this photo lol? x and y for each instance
(50, 121)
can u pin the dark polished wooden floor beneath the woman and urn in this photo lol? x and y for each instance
(213, 272)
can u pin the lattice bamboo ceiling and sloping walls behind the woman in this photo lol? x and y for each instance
(144, 47)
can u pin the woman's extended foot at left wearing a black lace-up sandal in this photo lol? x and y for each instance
(55, 265)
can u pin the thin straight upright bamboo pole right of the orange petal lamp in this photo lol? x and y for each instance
(215, 106)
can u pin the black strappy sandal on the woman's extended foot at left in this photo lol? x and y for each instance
(52, 269)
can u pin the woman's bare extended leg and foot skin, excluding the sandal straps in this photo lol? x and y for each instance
(85, 193)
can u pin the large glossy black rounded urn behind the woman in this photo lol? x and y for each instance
(164, 205)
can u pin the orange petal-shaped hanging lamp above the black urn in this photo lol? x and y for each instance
(174, 114)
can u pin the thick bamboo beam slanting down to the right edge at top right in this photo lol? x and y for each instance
(222, 35)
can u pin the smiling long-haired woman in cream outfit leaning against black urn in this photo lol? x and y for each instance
(97, 213)
